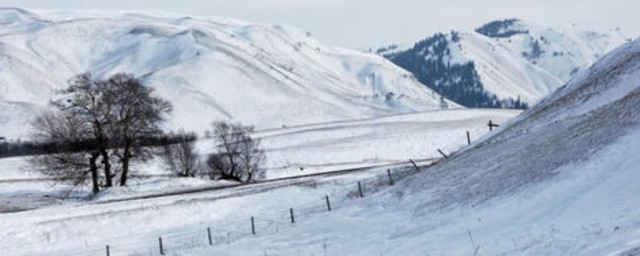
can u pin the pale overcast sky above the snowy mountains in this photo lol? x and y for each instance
(372, 23)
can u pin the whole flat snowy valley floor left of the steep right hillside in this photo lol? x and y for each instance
(42, 223)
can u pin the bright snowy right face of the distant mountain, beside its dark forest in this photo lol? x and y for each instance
(535, 63)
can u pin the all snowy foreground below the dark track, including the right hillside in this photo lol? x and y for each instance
(560, 179)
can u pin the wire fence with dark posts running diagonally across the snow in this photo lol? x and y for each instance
(282, 220)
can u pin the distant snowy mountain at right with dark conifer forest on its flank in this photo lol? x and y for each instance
(507, 63)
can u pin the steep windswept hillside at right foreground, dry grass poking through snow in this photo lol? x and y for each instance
(561, 179)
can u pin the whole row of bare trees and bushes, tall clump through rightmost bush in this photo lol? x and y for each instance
(100, 127)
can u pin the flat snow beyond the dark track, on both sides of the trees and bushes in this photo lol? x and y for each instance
(318, 148)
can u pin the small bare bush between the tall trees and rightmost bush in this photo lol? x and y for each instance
(181, 157)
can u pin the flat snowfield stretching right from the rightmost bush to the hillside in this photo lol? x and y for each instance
(371, 142)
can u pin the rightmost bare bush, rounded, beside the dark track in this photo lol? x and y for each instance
(240, 157)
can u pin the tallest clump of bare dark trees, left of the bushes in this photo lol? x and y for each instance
(98, 120)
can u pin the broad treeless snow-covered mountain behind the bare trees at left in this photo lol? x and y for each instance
(209, 68)
